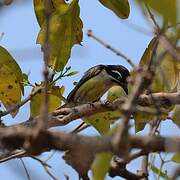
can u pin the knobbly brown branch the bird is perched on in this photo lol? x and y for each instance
(64, 116)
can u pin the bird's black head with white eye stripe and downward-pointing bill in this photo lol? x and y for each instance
(118, 75)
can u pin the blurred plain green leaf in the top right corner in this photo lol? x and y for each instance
(168, 9)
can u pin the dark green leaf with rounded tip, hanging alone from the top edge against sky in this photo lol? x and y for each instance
(119, 7)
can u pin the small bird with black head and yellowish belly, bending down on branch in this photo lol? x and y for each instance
(95, 82)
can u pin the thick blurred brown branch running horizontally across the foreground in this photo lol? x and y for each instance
(21, 137)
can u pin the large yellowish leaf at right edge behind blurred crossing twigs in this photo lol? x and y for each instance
(167, 73)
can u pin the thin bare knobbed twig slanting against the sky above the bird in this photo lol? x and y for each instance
(118, 53)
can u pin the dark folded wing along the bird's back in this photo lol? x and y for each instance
(87, 75)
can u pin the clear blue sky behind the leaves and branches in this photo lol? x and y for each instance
(20, 28)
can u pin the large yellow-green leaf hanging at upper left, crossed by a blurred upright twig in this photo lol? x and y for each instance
(65, 30)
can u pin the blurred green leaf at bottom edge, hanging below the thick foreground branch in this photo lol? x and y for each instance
(101, 165)
